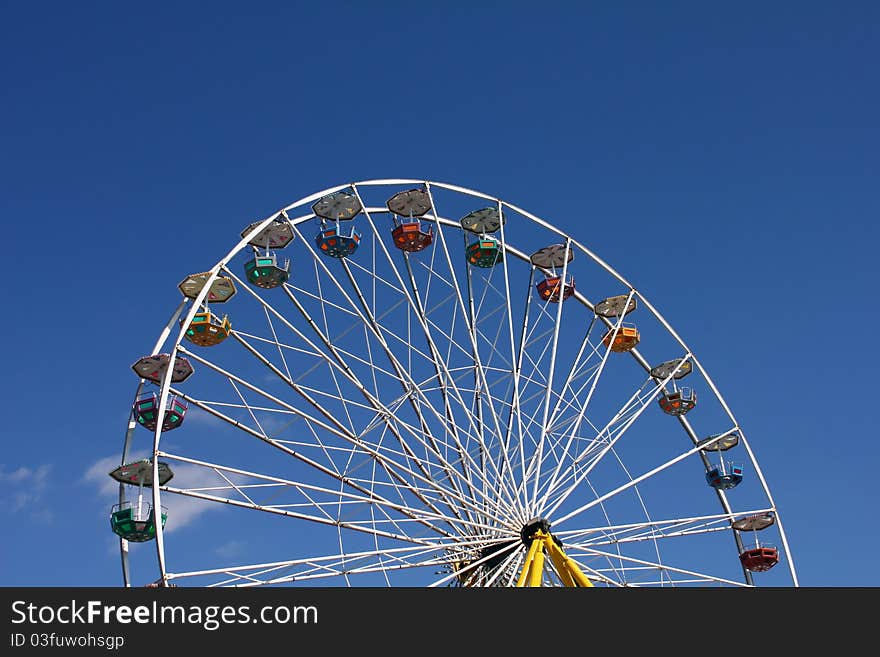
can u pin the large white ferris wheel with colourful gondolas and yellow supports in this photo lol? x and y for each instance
(410, 383)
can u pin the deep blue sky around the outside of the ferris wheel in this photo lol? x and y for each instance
(722, 158)
